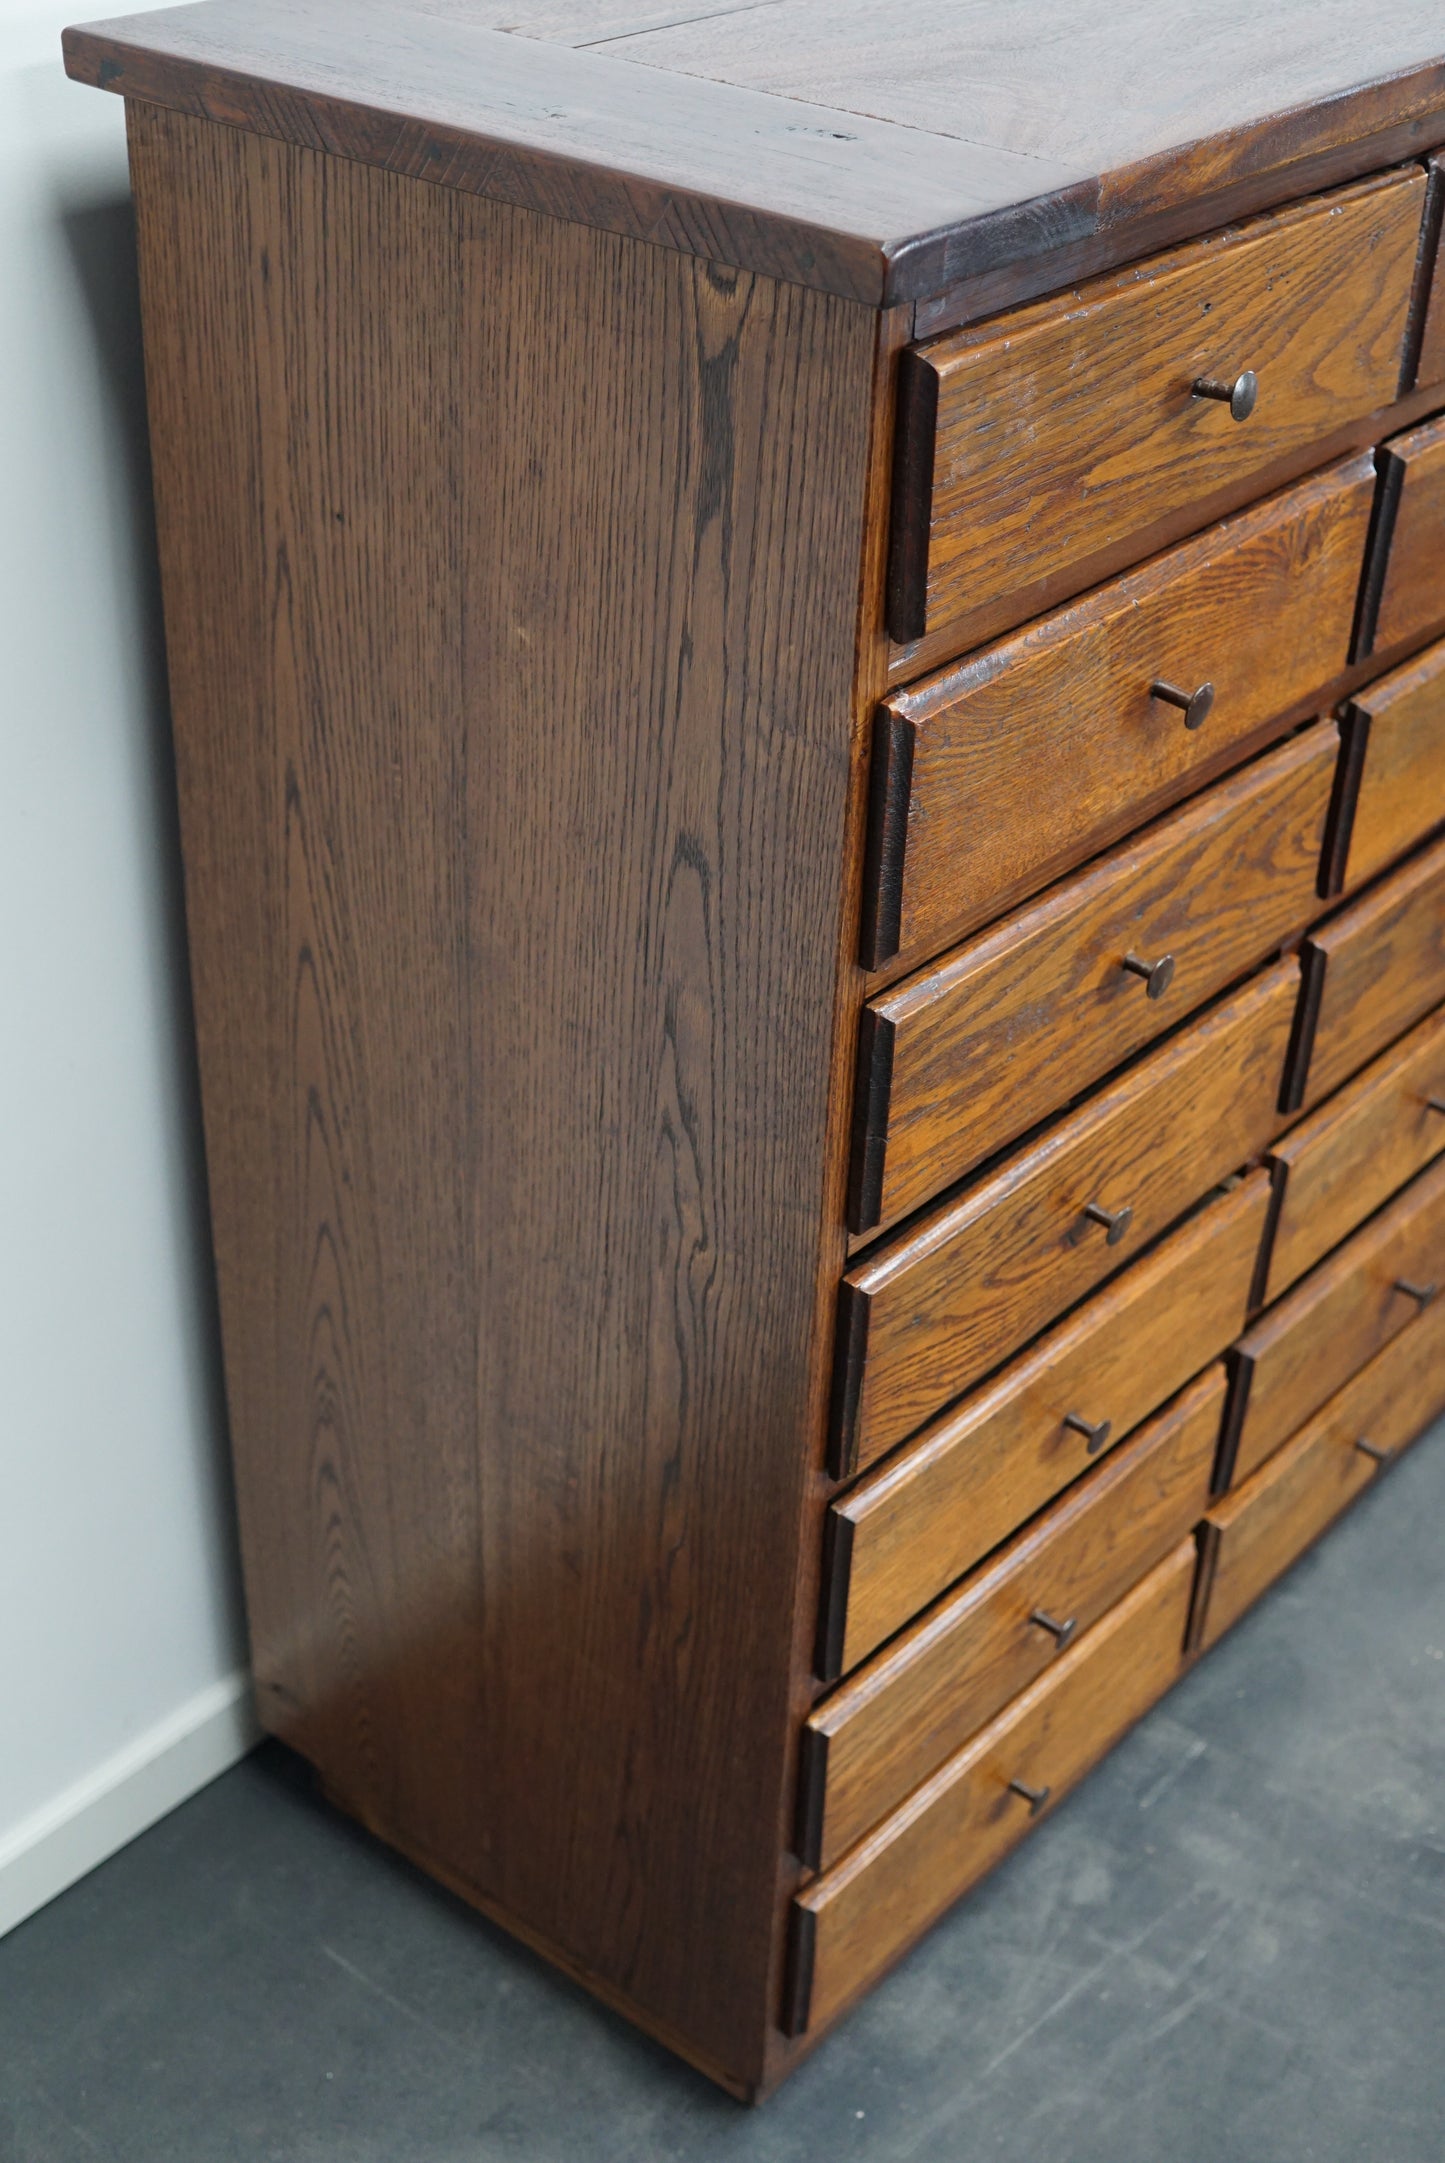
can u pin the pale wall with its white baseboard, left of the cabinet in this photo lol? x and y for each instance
(120, 1623)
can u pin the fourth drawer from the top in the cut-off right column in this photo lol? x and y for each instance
(1368, 974)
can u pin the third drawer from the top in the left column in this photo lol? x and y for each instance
(972, 1054)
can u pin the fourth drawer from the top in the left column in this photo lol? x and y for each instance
(944, 1303)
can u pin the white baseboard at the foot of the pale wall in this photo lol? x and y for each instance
(127, 1794)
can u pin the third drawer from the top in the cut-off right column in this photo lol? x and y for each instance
(1392, 771)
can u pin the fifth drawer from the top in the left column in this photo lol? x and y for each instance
(914, 1526)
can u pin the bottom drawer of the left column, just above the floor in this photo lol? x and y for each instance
(853, 1922)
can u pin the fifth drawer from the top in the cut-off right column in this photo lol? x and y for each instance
(1355, 1152)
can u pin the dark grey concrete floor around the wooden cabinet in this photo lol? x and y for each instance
(1228, 1948)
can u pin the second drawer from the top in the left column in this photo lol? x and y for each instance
(975, 801)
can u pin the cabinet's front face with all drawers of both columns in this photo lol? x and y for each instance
(1145, 1210)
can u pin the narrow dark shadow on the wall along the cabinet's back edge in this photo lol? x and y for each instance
(101, 239)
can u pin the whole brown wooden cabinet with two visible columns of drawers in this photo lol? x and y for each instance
(808, 780)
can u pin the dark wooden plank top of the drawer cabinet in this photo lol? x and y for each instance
(875, 150)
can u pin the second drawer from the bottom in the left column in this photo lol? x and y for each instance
(920, 1701)
